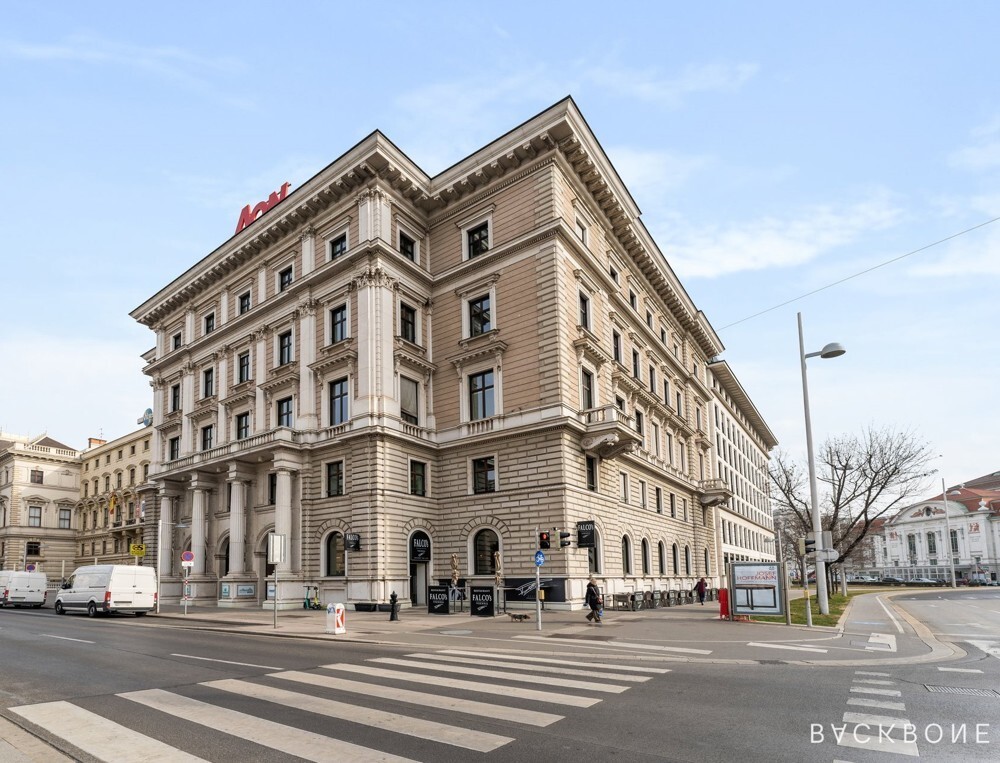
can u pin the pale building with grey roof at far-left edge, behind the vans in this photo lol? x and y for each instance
(39, 483)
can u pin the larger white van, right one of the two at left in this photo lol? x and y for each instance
(108, 588)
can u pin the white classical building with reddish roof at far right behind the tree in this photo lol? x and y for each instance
(917, 540)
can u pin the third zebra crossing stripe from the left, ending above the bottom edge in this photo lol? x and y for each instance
(480, 741)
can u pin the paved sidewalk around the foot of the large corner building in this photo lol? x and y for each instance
(684, 633)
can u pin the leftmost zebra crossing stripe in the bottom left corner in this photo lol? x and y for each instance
(97, 736)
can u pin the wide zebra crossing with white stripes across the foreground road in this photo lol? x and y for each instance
(521, 691)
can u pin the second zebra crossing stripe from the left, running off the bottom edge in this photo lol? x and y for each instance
(276, 736)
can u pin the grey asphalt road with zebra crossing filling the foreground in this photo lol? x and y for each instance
(128, 688)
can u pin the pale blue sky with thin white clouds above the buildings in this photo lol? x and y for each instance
(774, 149)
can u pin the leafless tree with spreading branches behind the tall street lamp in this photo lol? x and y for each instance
(862, 477)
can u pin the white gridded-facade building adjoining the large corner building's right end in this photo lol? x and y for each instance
(743, 443)
